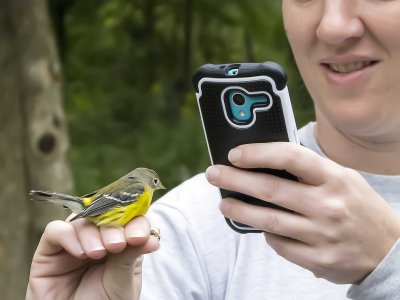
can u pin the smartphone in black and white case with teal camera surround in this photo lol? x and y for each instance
(243, 103)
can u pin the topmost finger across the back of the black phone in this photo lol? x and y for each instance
(297, 160)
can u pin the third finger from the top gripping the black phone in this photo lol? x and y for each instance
(271, 220)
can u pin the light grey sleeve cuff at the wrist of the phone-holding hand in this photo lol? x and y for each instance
(383, 282)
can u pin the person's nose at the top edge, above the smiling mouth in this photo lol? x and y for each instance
(340, 22)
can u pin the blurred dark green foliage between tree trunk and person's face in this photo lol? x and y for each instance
(128, 68)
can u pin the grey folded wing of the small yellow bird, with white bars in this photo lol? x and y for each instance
(107, 201)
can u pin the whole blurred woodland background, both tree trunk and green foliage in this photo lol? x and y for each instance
(91, 89)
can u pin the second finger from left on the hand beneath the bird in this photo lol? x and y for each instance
(90, 238)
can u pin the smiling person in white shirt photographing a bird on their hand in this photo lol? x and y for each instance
(341, 239)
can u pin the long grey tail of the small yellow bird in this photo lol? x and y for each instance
(74, 203)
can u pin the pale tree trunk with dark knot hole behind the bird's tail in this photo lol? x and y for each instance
(33, 139)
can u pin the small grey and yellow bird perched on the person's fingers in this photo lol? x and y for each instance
(113, 205)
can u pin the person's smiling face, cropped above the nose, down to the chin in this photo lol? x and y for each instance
(348, 53)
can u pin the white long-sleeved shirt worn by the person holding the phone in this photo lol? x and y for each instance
(201, 257)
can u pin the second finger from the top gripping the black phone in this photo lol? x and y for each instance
(286, 193)
